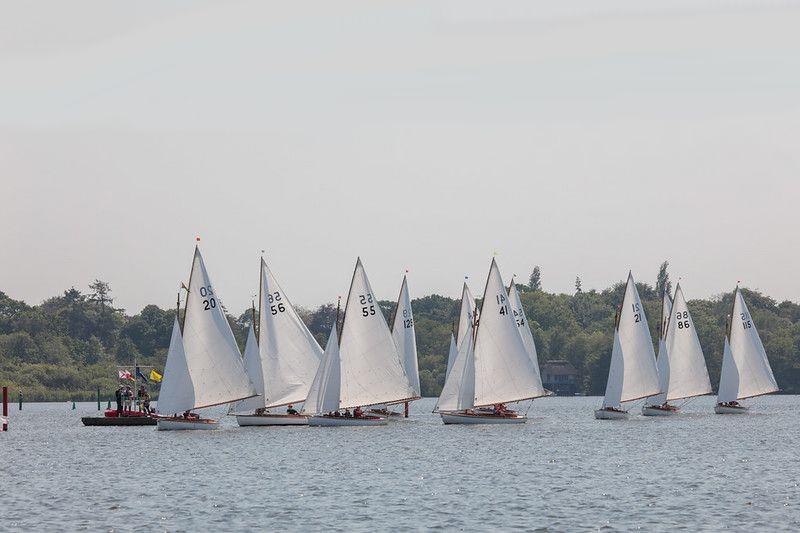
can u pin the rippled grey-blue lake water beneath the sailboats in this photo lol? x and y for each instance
(563, 471)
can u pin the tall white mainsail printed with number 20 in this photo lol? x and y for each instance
(212, 355)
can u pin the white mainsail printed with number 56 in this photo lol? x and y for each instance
(289, 352)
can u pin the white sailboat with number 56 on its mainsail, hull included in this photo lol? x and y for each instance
(281, 360)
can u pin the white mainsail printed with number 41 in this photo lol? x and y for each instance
(504, 372)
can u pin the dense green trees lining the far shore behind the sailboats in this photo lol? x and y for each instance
(71, 344)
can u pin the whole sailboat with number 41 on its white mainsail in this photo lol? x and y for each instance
(492, 366)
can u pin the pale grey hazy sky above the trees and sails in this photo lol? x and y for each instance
(588, 137)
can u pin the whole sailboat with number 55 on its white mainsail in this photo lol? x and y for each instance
(361, 368)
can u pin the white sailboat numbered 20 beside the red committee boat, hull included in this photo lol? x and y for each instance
(204, 367)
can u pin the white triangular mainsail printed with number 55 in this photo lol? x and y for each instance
(371, 372)
